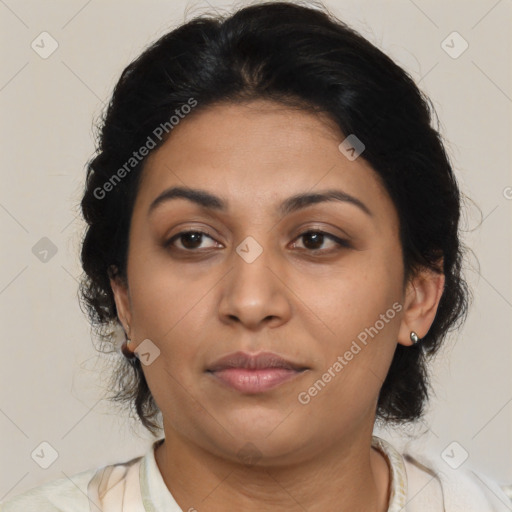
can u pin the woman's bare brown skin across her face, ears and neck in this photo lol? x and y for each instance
(306, 307)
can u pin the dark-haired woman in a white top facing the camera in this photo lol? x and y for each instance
(275, 225)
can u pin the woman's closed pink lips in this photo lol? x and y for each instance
(254, 373)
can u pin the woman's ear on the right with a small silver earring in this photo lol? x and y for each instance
(423, 293)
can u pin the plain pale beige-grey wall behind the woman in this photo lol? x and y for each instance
(51, 384)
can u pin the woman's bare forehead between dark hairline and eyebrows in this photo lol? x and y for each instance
(255, 152)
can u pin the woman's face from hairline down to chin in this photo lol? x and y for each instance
(261, 278)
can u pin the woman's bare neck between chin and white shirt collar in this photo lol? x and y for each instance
(352, 476)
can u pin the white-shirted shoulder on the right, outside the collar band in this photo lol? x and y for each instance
(431, 486)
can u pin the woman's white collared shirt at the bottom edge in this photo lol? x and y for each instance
(138, 486)
